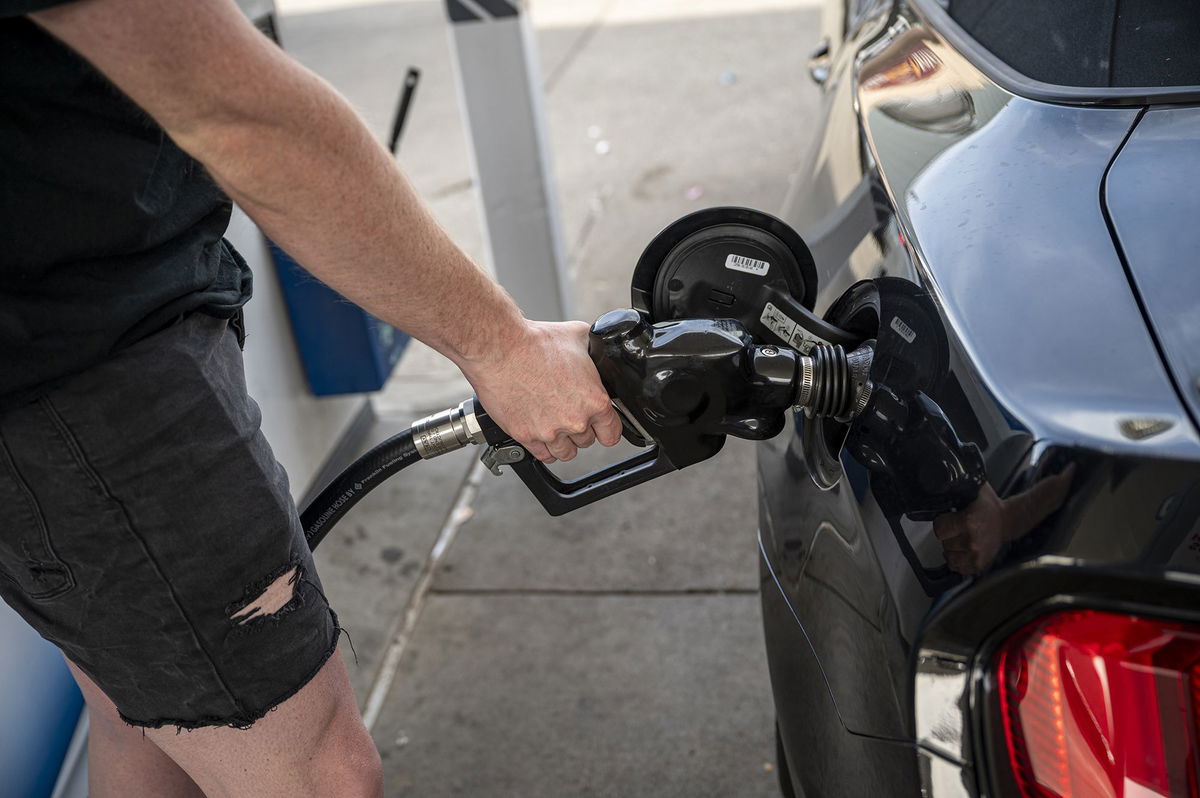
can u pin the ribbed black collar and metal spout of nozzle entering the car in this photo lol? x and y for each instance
(835, 385)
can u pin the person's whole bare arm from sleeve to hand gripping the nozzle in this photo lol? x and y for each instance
(297, 158)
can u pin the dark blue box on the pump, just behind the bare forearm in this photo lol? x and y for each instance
(344, 349)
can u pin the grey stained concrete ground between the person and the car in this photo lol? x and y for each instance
(616, 651)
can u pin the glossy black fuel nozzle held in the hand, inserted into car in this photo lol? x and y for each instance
(681, 388)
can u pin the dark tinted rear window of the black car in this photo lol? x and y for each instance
(1089, 43)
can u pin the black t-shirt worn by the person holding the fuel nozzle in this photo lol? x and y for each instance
(109, 232)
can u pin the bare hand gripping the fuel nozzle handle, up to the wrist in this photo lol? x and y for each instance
(545, 392)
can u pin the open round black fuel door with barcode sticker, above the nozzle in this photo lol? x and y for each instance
(718, 262)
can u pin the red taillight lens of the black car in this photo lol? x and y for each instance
(1097, 705)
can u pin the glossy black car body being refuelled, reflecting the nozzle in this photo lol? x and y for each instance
(1024, 253)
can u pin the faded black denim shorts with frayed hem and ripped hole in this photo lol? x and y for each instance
(142, 515)
